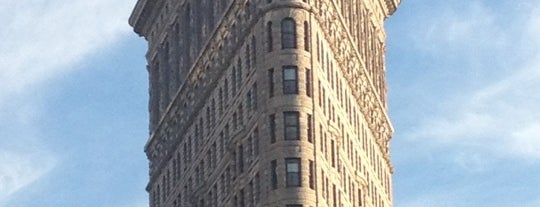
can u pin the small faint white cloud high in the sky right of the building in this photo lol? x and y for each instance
(466, 29)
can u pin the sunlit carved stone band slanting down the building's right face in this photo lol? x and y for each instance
(356, 74)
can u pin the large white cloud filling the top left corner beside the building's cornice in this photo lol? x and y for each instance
(42, 39)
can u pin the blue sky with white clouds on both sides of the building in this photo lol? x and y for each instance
(464, 95)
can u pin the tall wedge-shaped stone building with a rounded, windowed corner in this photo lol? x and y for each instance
(278, 103)
